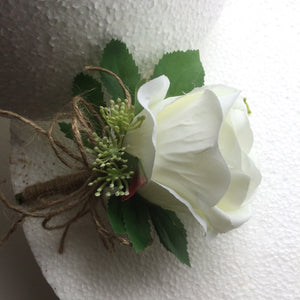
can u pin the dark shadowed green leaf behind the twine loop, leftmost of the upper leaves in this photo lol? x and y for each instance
(89, 88)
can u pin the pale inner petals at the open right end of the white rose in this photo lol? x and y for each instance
(235, 142)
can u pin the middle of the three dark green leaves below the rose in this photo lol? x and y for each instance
(136, 219)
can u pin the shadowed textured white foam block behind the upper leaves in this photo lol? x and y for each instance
(44, 43)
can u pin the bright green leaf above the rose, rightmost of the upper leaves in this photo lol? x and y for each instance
(183, 69)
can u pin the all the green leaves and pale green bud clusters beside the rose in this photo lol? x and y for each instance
(129, 213)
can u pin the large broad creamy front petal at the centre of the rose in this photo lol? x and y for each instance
(187, 157)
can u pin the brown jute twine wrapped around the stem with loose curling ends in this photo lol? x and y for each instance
(74, 188)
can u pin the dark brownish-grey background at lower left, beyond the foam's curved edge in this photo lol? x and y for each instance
(17, 252)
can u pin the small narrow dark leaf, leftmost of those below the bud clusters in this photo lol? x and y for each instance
(115, 214)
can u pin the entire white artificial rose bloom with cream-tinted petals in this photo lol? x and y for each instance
(195, 153)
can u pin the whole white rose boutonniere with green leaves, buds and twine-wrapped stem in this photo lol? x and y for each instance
(146, 150)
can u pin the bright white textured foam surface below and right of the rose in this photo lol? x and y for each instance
(254, 47)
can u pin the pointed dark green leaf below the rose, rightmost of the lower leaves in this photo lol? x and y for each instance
(171, 232)
